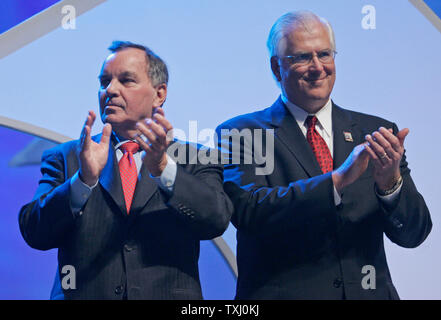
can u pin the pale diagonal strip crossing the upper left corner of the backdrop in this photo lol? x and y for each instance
(40, 24)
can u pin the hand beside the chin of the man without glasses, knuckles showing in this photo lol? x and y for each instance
(156, 132)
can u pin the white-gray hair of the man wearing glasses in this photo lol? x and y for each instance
(302, 18)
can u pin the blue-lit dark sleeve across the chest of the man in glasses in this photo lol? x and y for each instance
(263, 209)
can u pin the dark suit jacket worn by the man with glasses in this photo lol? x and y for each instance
(292, 241)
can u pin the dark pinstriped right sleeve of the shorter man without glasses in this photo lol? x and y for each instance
(198, 197)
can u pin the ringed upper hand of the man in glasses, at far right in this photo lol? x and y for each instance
(386, 150)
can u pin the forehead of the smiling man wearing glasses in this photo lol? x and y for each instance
(305, 36)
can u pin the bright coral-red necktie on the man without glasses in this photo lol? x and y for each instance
(127, 170)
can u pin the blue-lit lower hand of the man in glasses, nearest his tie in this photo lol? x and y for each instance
(353, 167)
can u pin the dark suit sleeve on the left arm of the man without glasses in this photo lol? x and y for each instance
(45, 220)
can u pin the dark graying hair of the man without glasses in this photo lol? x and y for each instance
(157, 69)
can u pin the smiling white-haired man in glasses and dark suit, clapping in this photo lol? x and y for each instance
(310, 219)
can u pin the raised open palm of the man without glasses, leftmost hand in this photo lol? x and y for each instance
(93, 156)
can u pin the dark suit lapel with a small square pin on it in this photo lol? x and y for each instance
(344, 128)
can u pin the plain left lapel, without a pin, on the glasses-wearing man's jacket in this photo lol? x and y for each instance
(289, 133)
